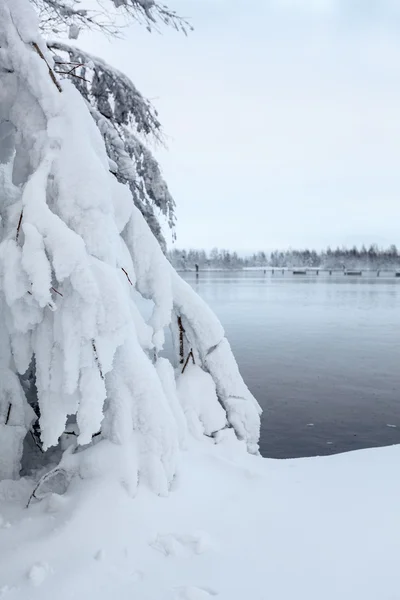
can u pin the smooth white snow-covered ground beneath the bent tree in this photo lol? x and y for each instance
(234, 527)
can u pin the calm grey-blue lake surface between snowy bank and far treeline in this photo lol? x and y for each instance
(320, 354)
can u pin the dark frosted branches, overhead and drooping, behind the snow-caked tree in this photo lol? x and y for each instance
(125, 119)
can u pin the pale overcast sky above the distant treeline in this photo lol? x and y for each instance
(282, 119)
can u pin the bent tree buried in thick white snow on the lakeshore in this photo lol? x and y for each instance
(76, 254)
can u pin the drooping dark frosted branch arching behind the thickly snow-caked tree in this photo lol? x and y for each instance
(124, 118)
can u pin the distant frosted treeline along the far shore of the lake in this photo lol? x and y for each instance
(340, 258)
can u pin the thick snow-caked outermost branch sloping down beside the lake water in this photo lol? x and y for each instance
(204, 334)
